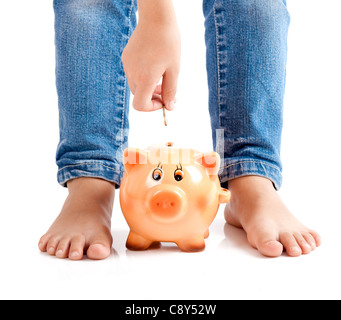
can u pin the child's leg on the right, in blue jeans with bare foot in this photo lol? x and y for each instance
(246, 63)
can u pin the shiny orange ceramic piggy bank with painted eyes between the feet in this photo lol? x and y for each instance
(170, 194)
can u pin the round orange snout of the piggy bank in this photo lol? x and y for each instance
(166, 204)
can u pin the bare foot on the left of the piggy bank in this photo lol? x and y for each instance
(84, 223)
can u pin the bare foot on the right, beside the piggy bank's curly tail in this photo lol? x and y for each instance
(257, 208)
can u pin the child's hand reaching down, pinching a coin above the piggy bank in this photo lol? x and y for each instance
(152, 53)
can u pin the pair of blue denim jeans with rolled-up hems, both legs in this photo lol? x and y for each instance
(246, 44)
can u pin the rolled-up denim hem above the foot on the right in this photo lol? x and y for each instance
(251, 167)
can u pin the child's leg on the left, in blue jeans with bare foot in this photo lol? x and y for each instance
(93, 107)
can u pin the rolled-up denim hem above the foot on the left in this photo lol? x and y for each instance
(93, 169)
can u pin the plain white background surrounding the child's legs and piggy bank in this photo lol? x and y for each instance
(30, 197)
